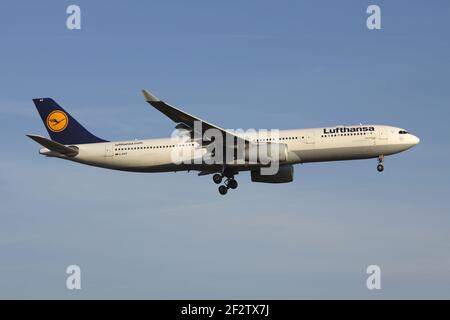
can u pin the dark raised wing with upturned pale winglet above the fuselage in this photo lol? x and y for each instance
(183, 119)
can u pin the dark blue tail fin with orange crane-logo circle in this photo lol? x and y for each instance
(60, 124)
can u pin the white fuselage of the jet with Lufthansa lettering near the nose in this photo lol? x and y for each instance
(303, 145)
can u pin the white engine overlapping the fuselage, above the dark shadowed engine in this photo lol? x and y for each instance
(266, 152)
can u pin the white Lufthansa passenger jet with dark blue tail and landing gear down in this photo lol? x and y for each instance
(71, 141)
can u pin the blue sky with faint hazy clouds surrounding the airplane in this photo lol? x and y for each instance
(239, 64)
